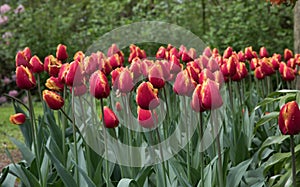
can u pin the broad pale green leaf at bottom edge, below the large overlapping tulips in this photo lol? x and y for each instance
(236, 173)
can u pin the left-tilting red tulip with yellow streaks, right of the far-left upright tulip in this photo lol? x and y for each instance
(53, 99)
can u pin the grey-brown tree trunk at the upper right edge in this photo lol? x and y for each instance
(297, 35)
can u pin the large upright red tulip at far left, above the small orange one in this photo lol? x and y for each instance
(24, 78)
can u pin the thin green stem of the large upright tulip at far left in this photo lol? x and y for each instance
(34, 135)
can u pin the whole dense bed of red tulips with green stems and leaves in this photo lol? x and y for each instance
(243, 100)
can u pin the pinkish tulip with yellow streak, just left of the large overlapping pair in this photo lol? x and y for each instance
(183, 84)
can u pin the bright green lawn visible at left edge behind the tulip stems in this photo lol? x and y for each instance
(7, 129)
